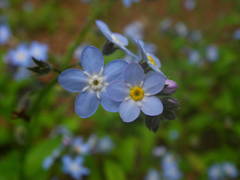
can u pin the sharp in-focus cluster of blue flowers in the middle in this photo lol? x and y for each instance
(125, 86)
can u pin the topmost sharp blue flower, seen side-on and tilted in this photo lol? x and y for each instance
(115, 38)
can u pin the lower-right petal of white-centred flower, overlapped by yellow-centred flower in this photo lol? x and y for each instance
(108, 104)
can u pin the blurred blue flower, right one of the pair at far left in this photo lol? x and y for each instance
(39, 51)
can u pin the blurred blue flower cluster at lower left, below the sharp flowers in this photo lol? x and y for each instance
(72, 151)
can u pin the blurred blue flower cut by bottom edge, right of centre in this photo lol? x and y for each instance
(170, 168)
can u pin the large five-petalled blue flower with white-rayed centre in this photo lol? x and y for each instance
(92, 81)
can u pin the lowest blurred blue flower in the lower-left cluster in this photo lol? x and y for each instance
(74, 167)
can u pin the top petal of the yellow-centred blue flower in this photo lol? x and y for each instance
(134, 74)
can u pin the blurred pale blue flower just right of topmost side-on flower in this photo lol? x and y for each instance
(134, 30)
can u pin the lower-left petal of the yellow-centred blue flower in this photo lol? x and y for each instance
(129, 111)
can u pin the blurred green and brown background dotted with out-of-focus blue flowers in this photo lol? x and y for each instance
(198, 43)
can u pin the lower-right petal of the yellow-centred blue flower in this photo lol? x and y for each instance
(152, 106)
